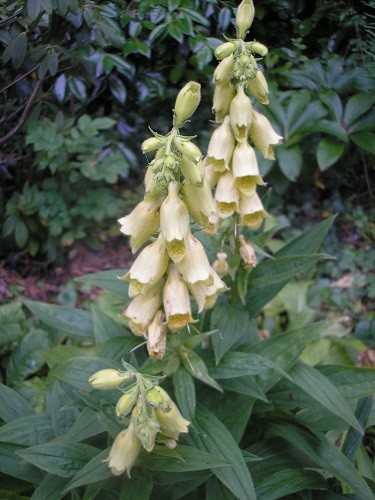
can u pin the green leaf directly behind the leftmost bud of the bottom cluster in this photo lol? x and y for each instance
(77, 371)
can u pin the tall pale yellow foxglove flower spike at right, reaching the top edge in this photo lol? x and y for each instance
(231, 165)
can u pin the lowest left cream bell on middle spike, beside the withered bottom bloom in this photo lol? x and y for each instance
(141, 310)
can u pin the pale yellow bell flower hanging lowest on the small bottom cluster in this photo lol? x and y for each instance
(124, 451)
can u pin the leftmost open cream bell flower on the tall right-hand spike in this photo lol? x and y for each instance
(220, 147)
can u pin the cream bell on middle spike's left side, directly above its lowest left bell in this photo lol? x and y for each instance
(148, 268)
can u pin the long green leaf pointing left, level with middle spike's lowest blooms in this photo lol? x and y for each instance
(74, 322)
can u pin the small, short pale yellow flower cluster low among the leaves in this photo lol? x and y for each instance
(151, 416)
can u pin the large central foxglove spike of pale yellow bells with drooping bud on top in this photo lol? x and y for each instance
(175, 264)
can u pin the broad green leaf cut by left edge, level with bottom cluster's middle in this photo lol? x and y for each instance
(21, 430)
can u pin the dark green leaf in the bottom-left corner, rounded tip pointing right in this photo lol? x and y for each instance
(13, 465)
